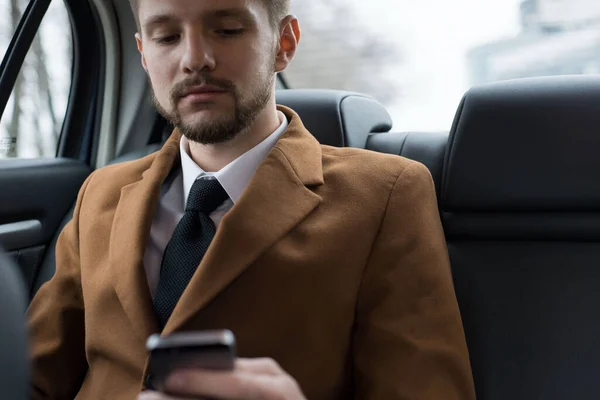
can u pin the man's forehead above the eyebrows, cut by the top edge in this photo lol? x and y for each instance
(197, 9)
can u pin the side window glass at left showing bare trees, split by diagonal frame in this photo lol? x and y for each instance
(31, 124)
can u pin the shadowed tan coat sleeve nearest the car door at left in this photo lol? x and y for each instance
(56, 321)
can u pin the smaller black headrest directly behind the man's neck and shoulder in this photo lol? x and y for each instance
(337, 118)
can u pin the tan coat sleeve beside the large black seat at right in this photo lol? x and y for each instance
(409, 342)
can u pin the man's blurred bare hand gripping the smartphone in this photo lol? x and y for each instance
(251, 379)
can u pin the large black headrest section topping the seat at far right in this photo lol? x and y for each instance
(526, 145)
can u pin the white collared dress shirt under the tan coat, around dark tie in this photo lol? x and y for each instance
(234, 178)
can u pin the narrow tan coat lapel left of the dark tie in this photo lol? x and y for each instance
(131, 227)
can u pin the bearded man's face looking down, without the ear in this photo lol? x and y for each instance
(211, 63)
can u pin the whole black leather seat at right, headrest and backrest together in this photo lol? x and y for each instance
(520, 201)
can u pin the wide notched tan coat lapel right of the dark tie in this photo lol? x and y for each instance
(277, 199)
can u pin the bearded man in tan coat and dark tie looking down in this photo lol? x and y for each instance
(331, 263)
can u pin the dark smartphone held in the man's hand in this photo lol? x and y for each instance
(212, 350)
